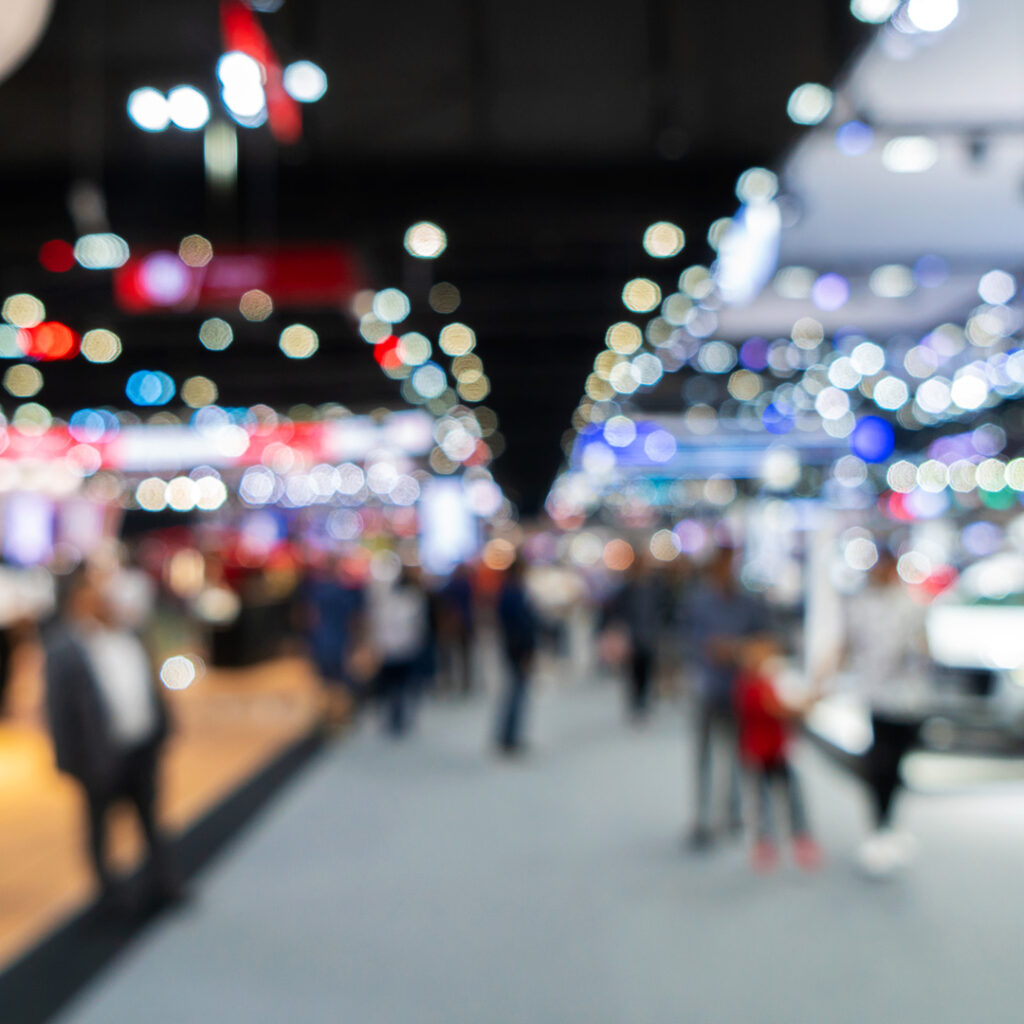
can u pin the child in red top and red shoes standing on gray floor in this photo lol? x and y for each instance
(764, 729)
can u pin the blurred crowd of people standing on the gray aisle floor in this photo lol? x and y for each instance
(704, 625)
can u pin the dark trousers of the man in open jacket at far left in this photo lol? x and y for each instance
(136, 782)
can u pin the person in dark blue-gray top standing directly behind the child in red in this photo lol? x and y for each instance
(719, 616)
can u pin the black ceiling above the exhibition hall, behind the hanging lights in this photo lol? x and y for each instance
(543, 137)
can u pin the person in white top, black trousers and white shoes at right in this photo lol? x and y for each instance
(886, 653)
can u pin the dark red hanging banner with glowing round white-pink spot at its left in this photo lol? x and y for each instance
(296, 277)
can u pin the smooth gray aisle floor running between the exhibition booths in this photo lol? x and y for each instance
(425, 882)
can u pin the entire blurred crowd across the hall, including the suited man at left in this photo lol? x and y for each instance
(387, 644)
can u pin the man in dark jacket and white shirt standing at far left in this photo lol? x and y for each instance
(109, 723)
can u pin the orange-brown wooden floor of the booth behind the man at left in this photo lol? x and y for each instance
(227, 727)
